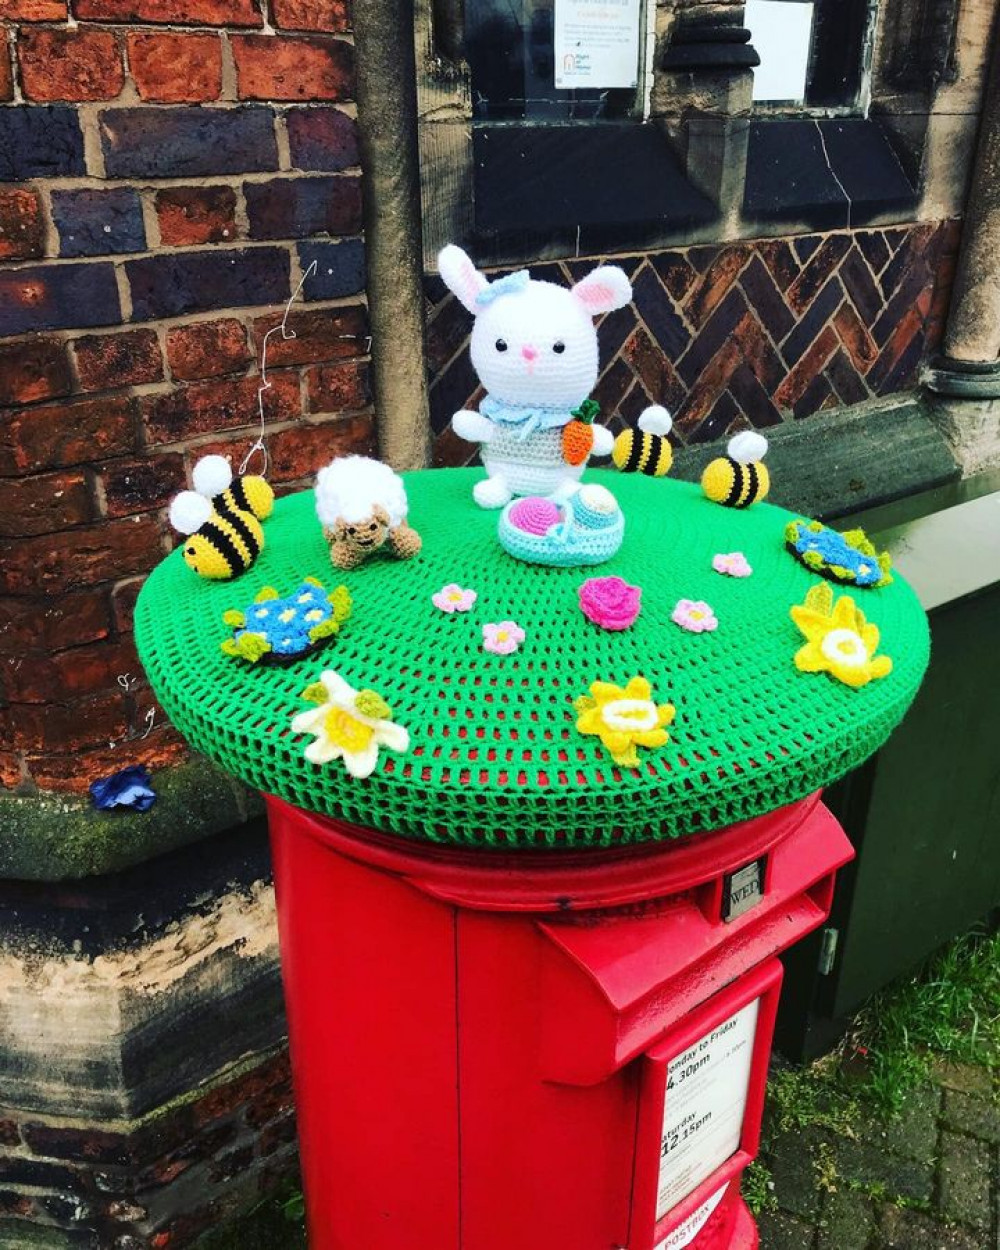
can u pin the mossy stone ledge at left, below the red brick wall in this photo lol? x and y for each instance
(54, 838)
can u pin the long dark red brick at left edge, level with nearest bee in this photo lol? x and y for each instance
(82, 558)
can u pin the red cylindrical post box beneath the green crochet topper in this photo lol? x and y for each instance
(552, 1053)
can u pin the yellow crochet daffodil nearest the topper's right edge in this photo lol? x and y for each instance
(839, 641)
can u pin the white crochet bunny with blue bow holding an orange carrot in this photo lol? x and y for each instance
(536, 351)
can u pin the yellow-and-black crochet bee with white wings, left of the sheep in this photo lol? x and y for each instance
(222, 518)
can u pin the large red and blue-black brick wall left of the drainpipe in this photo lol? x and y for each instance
(164, 183)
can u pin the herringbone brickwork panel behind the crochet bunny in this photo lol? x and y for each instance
(742, 334)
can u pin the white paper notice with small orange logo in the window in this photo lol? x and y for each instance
(597, 43)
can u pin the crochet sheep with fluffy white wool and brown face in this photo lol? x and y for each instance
(362, 506)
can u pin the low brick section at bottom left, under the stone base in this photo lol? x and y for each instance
(159, 1183)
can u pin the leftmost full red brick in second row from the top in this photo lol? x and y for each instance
(71, 66)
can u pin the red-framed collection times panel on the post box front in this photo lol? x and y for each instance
(701, 1109)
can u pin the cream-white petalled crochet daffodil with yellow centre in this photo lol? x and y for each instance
(348, 724)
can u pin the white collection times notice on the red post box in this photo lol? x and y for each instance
(706, 1102)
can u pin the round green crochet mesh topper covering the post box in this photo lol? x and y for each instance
(496, 758)
